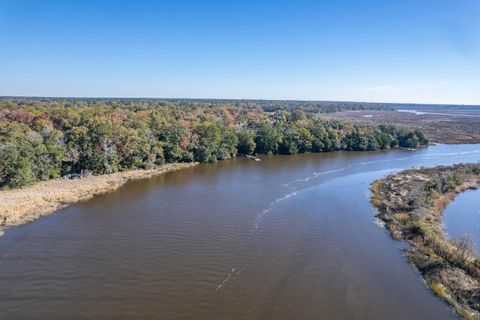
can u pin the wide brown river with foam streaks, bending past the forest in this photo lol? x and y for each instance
(290, 237)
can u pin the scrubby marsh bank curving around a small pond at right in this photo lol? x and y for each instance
(411, 204)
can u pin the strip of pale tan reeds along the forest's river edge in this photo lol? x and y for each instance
(24, 205)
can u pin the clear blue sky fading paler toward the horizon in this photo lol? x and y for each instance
(424, 51)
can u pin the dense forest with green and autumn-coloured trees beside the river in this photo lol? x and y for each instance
(41, 139)
